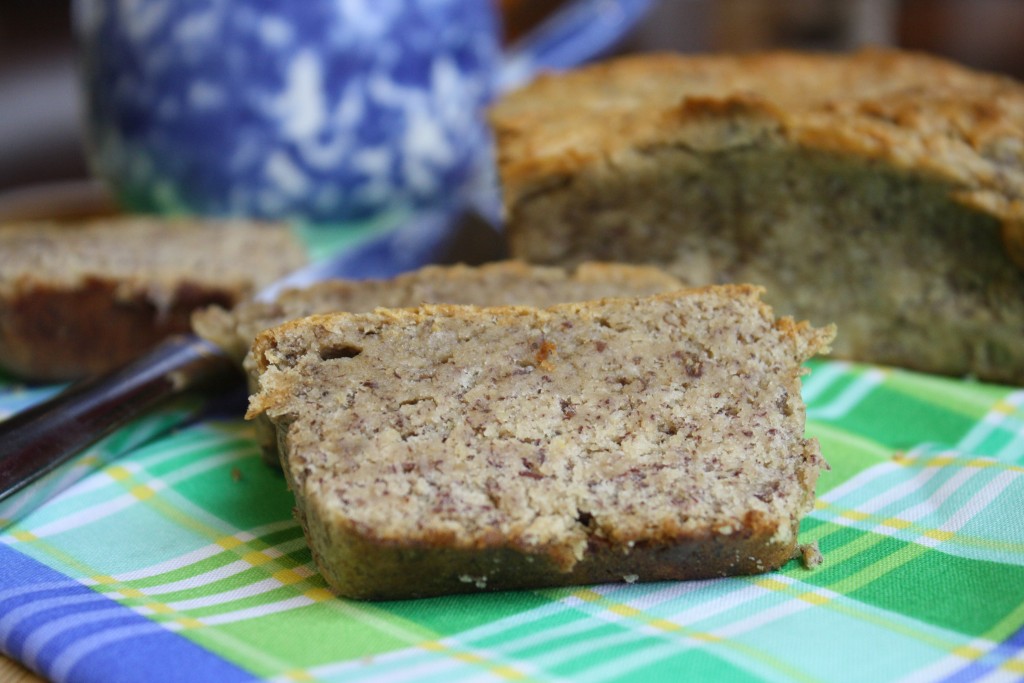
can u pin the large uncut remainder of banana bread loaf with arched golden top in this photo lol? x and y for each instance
(882, 191)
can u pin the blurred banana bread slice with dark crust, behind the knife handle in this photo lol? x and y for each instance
(82, 298)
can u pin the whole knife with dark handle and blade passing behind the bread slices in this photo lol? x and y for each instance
(47, 442)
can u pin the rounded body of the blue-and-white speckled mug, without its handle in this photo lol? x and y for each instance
(323, 110)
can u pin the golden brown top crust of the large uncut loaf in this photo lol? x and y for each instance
(910, 111)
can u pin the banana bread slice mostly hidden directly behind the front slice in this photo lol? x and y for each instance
(503, 283)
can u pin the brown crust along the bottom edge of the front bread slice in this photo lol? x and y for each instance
(359, 566)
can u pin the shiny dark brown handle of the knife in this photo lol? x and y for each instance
(52, 435)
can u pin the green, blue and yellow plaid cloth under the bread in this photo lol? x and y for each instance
(182, 562)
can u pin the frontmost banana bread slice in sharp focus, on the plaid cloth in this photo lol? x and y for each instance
(452, 449)
